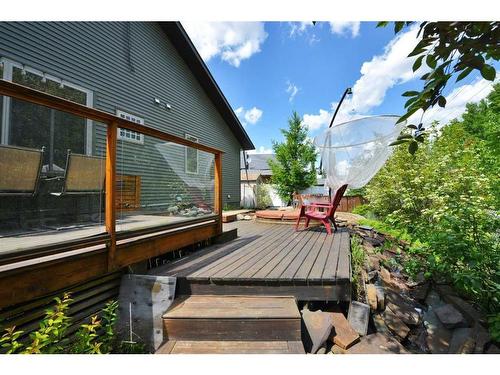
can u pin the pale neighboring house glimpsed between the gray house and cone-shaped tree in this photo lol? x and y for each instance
(257, 174)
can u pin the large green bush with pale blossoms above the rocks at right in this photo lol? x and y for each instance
(447, 197)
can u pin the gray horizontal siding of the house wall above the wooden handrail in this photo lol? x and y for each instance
(127, 66)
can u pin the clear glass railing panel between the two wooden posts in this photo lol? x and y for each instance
(161, 183)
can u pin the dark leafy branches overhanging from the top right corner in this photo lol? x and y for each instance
(449, 49)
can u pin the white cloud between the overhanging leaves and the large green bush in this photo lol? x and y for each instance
(457, 100)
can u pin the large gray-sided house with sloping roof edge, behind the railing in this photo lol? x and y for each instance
(148, 72)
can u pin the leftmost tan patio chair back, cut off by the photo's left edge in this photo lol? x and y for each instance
(20, 170)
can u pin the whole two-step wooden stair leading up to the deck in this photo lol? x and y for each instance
(232, 324)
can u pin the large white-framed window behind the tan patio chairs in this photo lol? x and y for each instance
(29, 125)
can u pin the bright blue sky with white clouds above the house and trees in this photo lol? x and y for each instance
(267, 70)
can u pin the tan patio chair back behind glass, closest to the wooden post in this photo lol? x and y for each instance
(84, 174)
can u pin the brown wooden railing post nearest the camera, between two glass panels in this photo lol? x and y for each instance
(110, 213)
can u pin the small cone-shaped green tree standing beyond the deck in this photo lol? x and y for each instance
(293, 169)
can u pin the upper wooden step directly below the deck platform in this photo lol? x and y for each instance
(232, 318)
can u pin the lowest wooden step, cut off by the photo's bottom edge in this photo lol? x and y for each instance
(232, 347)
